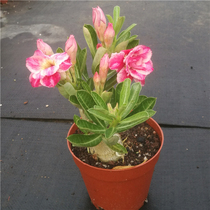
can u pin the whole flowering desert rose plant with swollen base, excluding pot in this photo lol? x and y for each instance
(105, 109)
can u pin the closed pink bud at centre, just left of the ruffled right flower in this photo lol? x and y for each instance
(104, 68)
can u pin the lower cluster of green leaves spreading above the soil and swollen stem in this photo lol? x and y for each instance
(125, 109)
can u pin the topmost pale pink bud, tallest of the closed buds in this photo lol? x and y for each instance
(99, 22)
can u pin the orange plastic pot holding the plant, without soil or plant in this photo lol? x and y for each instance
(121, 189)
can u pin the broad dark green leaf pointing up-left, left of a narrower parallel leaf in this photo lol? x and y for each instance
(86, 101)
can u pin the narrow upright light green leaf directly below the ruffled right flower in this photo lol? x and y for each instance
(125, 92)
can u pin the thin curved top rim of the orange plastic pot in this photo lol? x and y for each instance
(161, 136)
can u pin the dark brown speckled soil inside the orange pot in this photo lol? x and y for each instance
(141, 142)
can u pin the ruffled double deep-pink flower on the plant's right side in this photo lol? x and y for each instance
(133, 63)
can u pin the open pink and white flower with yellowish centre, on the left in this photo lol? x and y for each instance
(45, 70)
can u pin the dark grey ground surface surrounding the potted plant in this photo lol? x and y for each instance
(37, 170)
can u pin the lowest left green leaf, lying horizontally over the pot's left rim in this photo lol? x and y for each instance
(83, 140)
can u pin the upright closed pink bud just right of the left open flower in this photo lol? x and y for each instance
(71, 48)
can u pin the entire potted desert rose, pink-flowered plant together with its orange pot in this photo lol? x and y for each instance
(106, 110)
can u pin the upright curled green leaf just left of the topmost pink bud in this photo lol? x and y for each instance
(91, 38)
